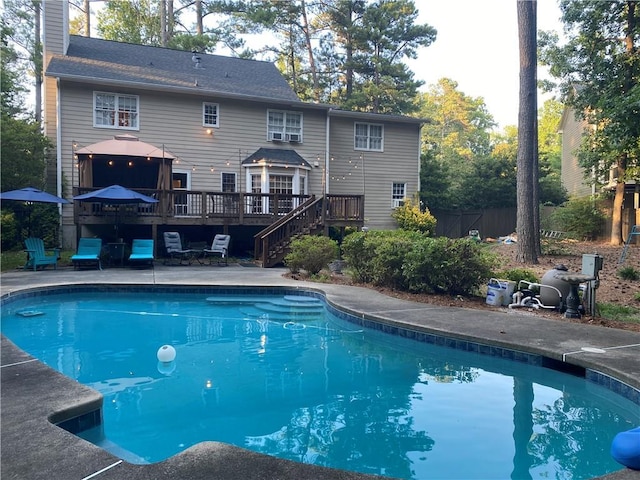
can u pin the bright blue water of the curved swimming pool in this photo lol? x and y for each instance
(286, 378)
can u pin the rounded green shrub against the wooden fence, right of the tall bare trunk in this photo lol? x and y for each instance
(580, 218)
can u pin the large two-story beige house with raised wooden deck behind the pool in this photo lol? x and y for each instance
(223, 144)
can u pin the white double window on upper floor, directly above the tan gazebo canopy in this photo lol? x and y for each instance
(112, 110)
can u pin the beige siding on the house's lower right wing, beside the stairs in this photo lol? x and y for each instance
(373, 173)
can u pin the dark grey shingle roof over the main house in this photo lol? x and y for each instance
(108, 62)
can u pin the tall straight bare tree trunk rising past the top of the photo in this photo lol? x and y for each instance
(528, 219)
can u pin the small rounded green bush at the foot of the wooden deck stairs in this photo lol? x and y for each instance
(311, 253)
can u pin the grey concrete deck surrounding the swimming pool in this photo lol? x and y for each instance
(33, 395)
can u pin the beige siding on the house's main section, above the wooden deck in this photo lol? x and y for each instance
(175, 123)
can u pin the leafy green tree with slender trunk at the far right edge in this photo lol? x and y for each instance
(599, 73)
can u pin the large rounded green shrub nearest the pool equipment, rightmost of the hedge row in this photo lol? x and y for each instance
(444, 265)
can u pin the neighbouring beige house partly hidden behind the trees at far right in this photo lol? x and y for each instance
(577, 184)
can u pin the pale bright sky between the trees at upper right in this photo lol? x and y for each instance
(477, 46)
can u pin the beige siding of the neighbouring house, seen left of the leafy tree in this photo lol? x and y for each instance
(572, 175)
